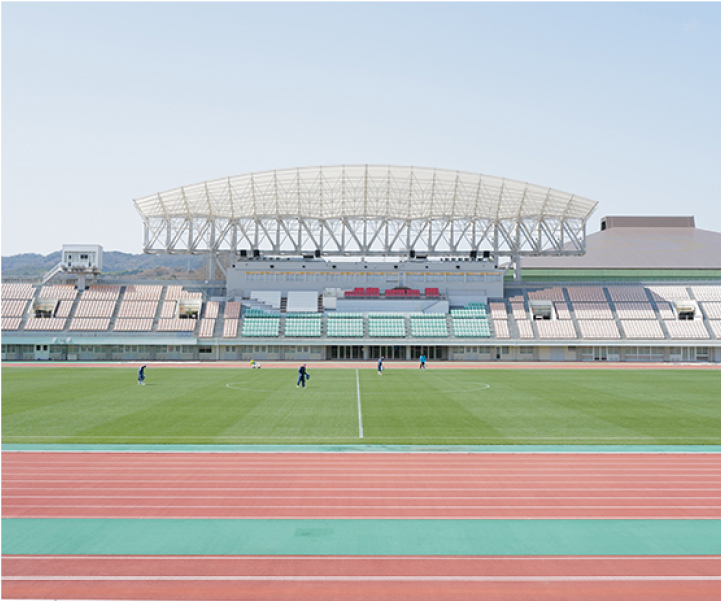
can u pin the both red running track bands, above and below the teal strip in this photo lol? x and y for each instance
(435, 486)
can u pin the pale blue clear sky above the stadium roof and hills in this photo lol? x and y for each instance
(106, 102)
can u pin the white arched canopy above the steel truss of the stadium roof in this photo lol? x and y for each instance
(368, 191)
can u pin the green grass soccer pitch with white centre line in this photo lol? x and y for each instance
(226, 406)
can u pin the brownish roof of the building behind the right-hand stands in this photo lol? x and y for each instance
(642, 243)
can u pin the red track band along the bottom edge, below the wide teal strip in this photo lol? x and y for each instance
(263, 578)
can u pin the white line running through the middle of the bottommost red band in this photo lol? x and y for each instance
(371, 578)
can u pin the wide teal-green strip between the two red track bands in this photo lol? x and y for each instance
(359, 537)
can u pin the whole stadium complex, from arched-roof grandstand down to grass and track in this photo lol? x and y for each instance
(562, 444)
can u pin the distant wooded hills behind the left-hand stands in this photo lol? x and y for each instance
(116, 264)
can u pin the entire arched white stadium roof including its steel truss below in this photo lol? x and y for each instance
(365, 210)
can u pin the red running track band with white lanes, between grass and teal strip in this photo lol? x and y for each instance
(357, 486)
